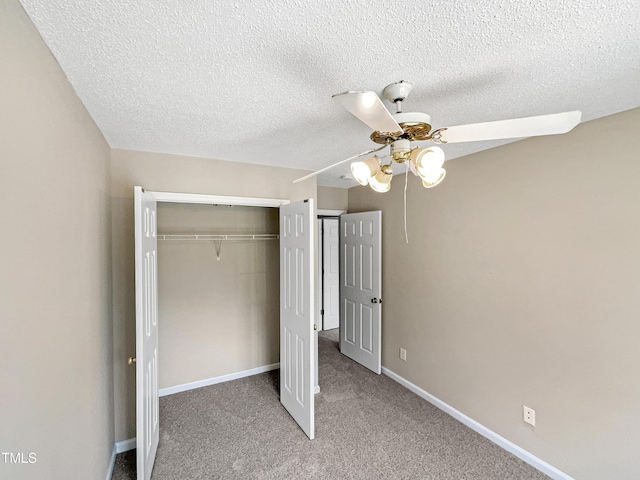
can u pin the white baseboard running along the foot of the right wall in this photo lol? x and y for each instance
(519, 452)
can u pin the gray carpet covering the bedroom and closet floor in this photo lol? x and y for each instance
(367, 427)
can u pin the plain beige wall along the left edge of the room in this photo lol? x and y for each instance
(56, 384)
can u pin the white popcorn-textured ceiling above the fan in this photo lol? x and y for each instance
(251, 81)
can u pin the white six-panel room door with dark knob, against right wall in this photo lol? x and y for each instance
(361, 288)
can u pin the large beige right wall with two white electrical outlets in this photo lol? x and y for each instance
(520, 286)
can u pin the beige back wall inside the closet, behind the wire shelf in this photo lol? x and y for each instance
(217, 316)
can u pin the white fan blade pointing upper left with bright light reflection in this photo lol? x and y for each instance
(368, 107)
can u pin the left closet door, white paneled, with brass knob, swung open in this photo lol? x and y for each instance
(146, 284)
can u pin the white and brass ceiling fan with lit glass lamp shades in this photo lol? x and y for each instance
(399, 130)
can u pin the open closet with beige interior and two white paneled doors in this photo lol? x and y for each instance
(217, 325)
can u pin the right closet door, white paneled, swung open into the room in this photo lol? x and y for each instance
(297, 312)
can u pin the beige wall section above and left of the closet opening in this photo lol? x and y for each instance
(171, 173)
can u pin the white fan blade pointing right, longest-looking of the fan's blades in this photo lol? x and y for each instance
(554, 123)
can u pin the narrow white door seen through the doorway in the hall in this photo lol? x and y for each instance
(331, 273)
